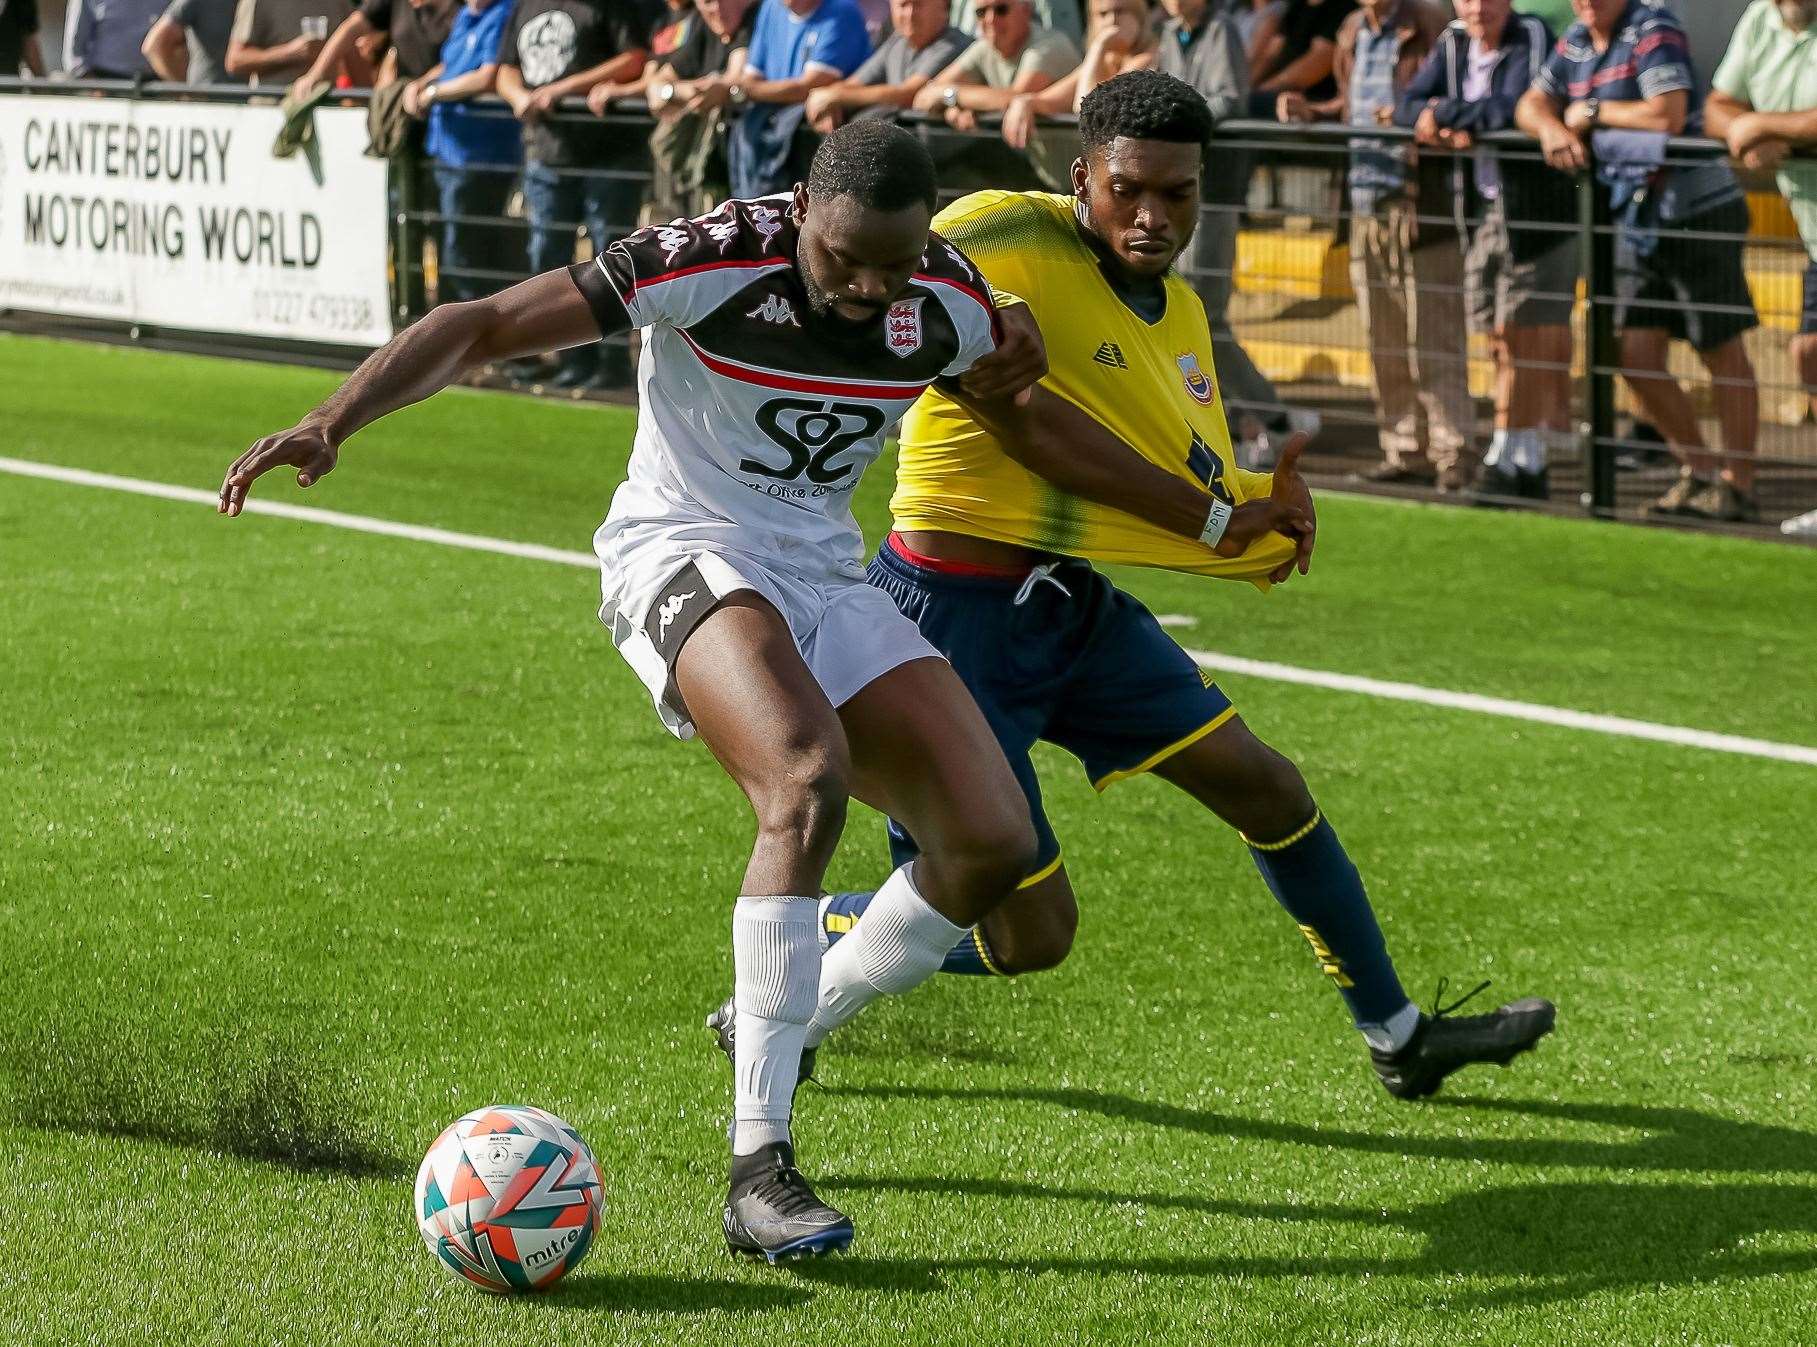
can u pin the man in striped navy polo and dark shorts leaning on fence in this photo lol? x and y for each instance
(1678, 248)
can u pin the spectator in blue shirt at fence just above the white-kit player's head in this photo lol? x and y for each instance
(797, 48)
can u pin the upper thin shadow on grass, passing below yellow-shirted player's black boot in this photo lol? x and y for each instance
(1674, 1141)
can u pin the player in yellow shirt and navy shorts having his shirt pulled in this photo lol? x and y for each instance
(995, 566)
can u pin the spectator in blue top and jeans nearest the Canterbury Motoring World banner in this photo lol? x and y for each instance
(477, 152)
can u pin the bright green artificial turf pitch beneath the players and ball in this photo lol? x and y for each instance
(312, 841)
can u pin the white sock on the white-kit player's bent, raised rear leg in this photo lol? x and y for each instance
(899, 944)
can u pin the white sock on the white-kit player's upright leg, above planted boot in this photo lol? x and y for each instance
(775, 984)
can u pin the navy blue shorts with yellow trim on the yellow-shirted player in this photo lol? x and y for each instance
(1077, 663)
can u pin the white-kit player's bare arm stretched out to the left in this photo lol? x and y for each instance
(542, 314)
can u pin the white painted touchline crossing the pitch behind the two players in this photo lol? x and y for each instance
(1282, 673)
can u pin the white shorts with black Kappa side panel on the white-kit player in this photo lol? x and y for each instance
(659, 583)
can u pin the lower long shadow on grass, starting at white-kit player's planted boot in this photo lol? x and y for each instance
(1545, 1242)
